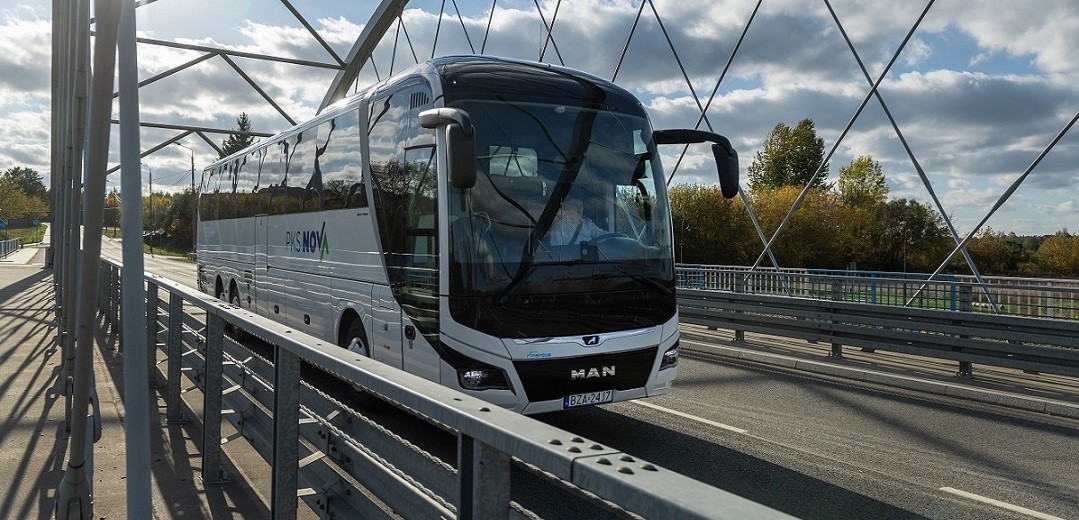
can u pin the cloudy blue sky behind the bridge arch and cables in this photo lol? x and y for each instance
(979, 91)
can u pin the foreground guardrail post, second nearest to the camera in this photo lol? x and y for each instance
(286, 435)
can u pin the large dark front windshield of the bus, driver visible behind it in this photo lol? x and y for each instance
(569, 211)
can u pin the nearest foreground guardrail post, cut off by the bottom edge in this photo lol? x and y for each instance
(484, 476)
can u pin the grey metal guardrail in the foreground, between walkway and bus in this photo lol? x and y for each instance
(344, 466)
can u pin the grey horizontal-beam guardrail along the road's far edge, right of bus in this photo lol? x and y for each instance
(1034, 345)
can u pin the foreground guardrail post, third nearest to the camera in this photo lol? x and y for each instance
(213, 473)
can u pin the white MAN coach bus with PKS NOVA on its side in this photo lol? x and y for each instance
(496, 226)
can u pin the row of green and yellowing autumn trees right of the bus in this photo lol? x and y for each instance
(851, 224)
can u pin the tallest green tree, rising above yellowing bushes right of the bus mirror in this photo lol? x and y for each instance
(790, 158)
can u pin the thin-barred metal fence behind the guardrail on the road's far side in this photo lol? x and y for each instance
(999, 295)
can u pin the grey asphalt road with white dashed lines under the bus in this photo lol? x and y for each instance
(823, 448)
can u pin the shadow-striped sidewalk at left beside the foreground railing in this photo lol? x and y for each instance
(34, 442)
